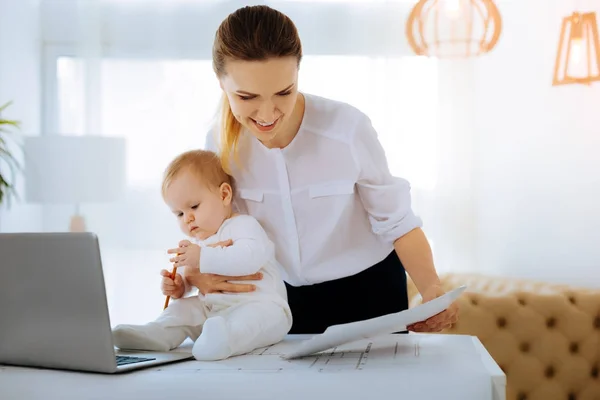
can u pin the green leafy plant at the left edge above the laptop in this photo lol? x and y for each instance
(7, 158)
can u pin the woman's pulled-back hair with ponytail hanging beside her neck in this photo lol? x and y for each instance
(251, 33)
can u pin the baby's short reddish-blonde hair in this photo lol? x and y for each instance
(205, 164)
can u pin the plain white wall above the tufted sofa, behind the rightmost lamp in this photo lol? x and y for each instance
(539, 181)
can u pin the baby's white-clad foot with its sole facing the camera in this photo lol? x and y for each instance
(213, 343)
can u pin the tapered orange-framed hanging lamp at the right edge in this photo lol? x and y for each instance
(578, 55)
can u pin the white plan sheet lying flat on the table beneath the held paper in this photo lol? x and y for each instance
(381, 352)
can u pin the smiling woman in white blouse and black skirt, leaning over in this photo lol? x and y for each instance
(313, 172)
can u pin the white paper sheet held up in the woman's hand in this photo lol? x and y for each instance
(345, 333)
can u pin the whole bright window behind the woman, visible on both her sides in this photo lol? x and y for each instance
(164, 107)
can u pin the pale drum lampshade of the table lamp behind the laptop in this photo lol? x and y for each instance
(74, 169)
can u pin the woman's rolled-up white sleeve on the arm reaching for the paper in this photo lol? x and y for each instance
(387, 199)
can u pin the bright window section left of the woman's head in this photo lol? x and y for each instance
(162, 107)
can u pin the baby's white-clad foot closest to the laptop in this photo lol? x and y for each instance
(147, 337)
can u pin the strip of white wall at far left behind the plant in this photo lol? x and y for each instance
(20, 82)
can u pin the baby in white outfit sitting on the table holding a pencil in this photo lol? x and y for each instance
(224, 324)
